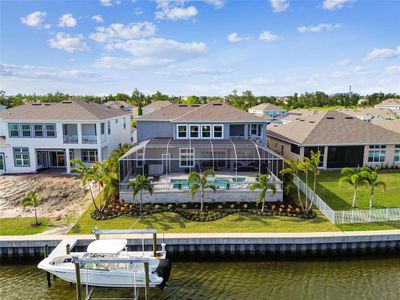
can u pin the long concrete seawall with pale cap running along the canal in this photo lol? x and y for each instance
(229, 244)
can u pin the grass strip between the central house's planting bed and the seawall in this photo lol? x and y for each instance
(170, 222)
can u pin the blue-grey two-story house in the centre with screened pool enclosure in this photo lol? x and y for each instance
(181, 138)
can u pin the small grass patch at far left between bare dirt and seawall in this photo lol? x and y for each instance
(22, 226)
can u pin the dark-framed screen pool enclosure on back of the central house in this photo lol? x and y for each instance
(166, 160)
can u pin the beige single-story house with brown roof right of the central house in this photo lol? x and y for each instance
(344, 141)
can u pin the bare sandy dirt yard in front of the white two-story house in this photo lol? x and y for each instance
(60, 194)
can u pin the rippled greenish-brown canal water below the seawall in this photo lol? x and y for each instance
(349, 278)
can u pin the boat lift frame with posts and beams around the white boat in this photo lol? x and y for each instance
(131, 260)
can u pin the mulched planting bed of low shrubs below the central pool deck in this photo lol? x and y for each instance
(212, 211)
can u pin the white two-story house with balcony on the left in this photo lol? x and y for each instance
(45, 135)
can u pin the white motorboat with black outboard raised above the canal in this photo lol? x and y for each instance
(109, 274)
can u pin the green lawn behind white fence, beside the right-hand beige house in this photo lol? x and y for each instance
(340, 198)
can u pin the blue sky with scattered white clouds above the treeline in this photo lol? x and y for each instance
(203, 47)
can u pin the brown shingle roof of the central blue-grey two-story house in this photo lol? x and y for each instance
(214, 111)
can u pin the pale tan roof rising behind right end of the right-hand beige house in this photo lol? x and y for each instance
(371, 114)
